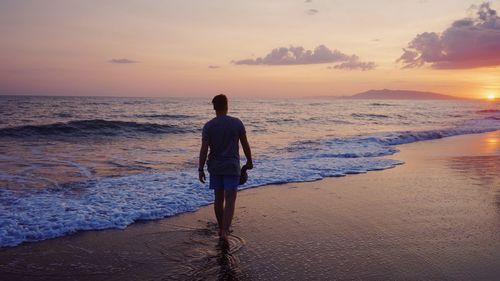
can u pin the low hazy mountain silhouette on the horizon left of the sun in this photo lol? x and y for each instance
(386, 94)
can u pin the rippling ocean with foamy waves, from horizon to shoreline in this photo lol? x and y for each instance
(82, 163)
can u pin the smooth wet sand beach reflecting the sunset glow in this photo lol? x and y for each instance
(437, 217)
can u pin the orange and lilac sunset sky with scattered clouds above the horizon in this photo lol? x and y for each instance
(251, 48)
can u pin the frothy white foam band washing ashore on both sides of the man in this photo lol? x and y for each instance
(28, 215)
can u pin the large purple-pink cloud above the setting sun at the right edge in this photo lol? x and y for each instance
(468, 43)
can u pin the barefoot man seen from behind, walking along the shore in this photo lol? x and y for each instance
(223, 134)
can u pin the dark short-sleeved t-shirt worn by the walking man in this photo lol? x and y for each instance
(223, 134)
